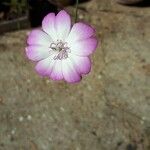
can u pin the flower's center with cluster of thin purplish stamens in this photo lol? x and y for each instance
(61, 48)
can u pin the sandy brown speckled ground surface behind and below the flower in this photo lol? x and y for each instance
(108, 110)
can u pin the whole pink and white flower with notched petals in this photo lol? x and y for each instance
(61, 52)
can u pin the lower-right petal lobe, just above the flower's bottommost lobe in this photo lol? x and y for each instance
(81, 64)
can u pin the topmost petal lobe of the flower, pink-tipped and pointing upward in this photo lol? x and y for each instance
(63, 24)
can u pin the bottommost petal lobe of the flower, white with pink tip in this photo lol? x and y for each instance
(69, 72)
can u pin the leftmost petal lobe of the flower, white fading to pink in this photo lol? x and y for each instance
(37, 53)
